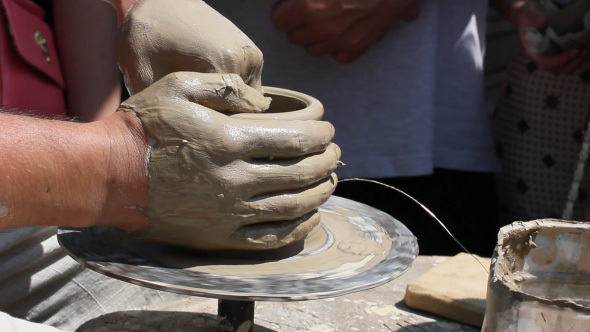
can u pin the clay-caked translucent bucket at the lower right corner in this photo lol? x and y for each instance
(540, 278)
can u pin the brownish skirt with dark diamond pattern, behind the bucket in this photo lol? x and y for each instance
(539, 124)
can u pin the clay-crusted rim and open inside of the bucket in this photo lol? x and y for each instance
(545, 260)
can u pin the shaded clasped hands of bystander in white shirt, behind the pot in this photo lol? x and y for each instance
(345, 29)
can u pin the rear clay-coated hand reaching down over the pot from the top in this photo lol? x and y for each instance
(159, 37)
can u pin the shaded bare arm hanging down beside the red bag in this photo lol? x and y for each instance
(86, 32)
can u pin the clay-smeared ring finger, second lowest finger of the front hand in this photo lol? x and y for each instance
(288, 205)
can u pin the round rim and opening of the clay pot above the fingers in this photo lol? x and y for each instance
(287, 105)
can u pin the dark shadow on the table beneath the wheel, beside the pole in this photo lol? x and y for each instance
(155, 321)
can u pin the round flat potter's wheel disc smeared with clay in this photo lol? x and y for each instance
(356, 247)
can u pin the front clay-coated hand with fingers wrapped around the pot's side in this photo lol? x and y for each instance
(219, 182)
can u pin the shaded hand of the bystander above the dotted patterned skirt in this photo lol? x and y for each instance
(525, 14)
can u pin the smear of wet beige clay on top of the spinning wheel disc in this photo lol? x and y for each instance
(337, 248)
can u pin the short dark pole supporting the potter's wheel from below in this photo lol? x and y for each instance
(235, 316)
